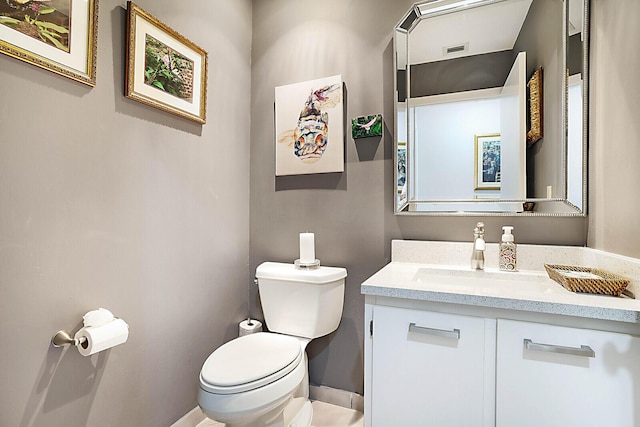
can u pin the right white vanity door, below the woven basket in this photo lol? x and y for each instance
(556, 376)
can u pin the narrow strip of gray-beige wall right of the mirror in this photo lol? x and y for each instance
(614, 177)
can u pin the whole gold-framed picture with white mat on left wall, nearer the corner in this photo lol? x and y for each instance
(164, 69)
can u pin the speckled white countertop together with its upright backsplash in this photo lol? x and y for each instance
(525, 290)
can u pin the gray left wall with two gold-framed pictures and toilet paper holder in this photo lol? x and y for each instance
(109, 203)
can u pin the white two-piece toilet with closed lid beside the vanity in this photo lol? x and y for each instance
(262, 379)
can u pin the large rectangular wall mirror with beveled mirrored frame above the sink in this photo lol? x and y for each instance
(491, 108)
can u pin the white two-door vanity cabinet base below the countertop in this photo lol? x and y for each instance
(428, 367)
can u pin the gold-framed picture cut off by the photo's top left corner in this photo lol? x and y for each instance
(57, 35)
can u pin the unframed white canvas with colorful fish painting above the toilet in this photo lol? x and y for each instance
(309, 127)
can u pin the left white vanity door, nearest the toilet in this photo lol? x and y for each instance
(431, 369)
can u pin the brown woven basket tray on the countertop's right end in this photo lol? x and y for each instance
(585, 279)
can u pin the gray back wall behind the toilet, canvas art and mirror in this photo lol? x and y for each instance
(351, 213)
